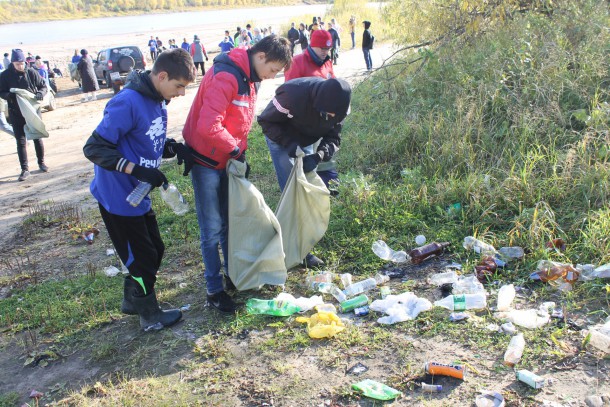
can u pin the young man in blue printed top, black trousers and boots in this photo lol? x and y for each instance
(126, 148)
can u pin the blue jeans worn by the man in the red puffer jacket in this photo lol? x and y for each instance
(210, 188)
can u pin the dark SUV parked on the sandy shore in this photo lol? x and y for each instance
(114, 64)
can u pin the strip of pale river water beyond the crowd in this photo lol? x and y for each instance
(11, 35)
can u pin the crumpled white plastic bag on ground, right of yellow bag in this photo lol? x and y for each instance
(400, 308)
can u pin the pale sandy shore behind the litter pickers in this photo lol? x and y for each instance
(72, 123)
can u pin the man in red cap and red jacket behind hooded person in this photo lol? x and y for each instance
(315, 60)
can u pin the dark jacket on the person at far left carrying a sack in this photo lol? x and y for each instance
(11, 78)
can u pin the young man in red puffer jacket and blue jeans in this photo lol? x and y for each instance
(216, 130)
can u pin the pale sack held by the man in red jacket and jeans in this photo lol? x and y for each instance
(256, 255)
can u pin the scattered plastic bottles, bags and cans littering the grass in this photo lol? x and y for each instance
(467, 293)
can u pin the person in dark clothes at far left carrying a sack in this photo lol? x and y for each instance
(19, 76)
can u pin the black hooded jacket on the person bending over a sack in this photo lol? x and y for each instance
(294, 114)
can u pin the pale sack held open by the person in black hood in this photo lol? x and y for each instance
(303, 211)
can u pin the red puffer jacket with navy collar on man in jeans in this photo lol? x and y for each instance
(223, 110)
